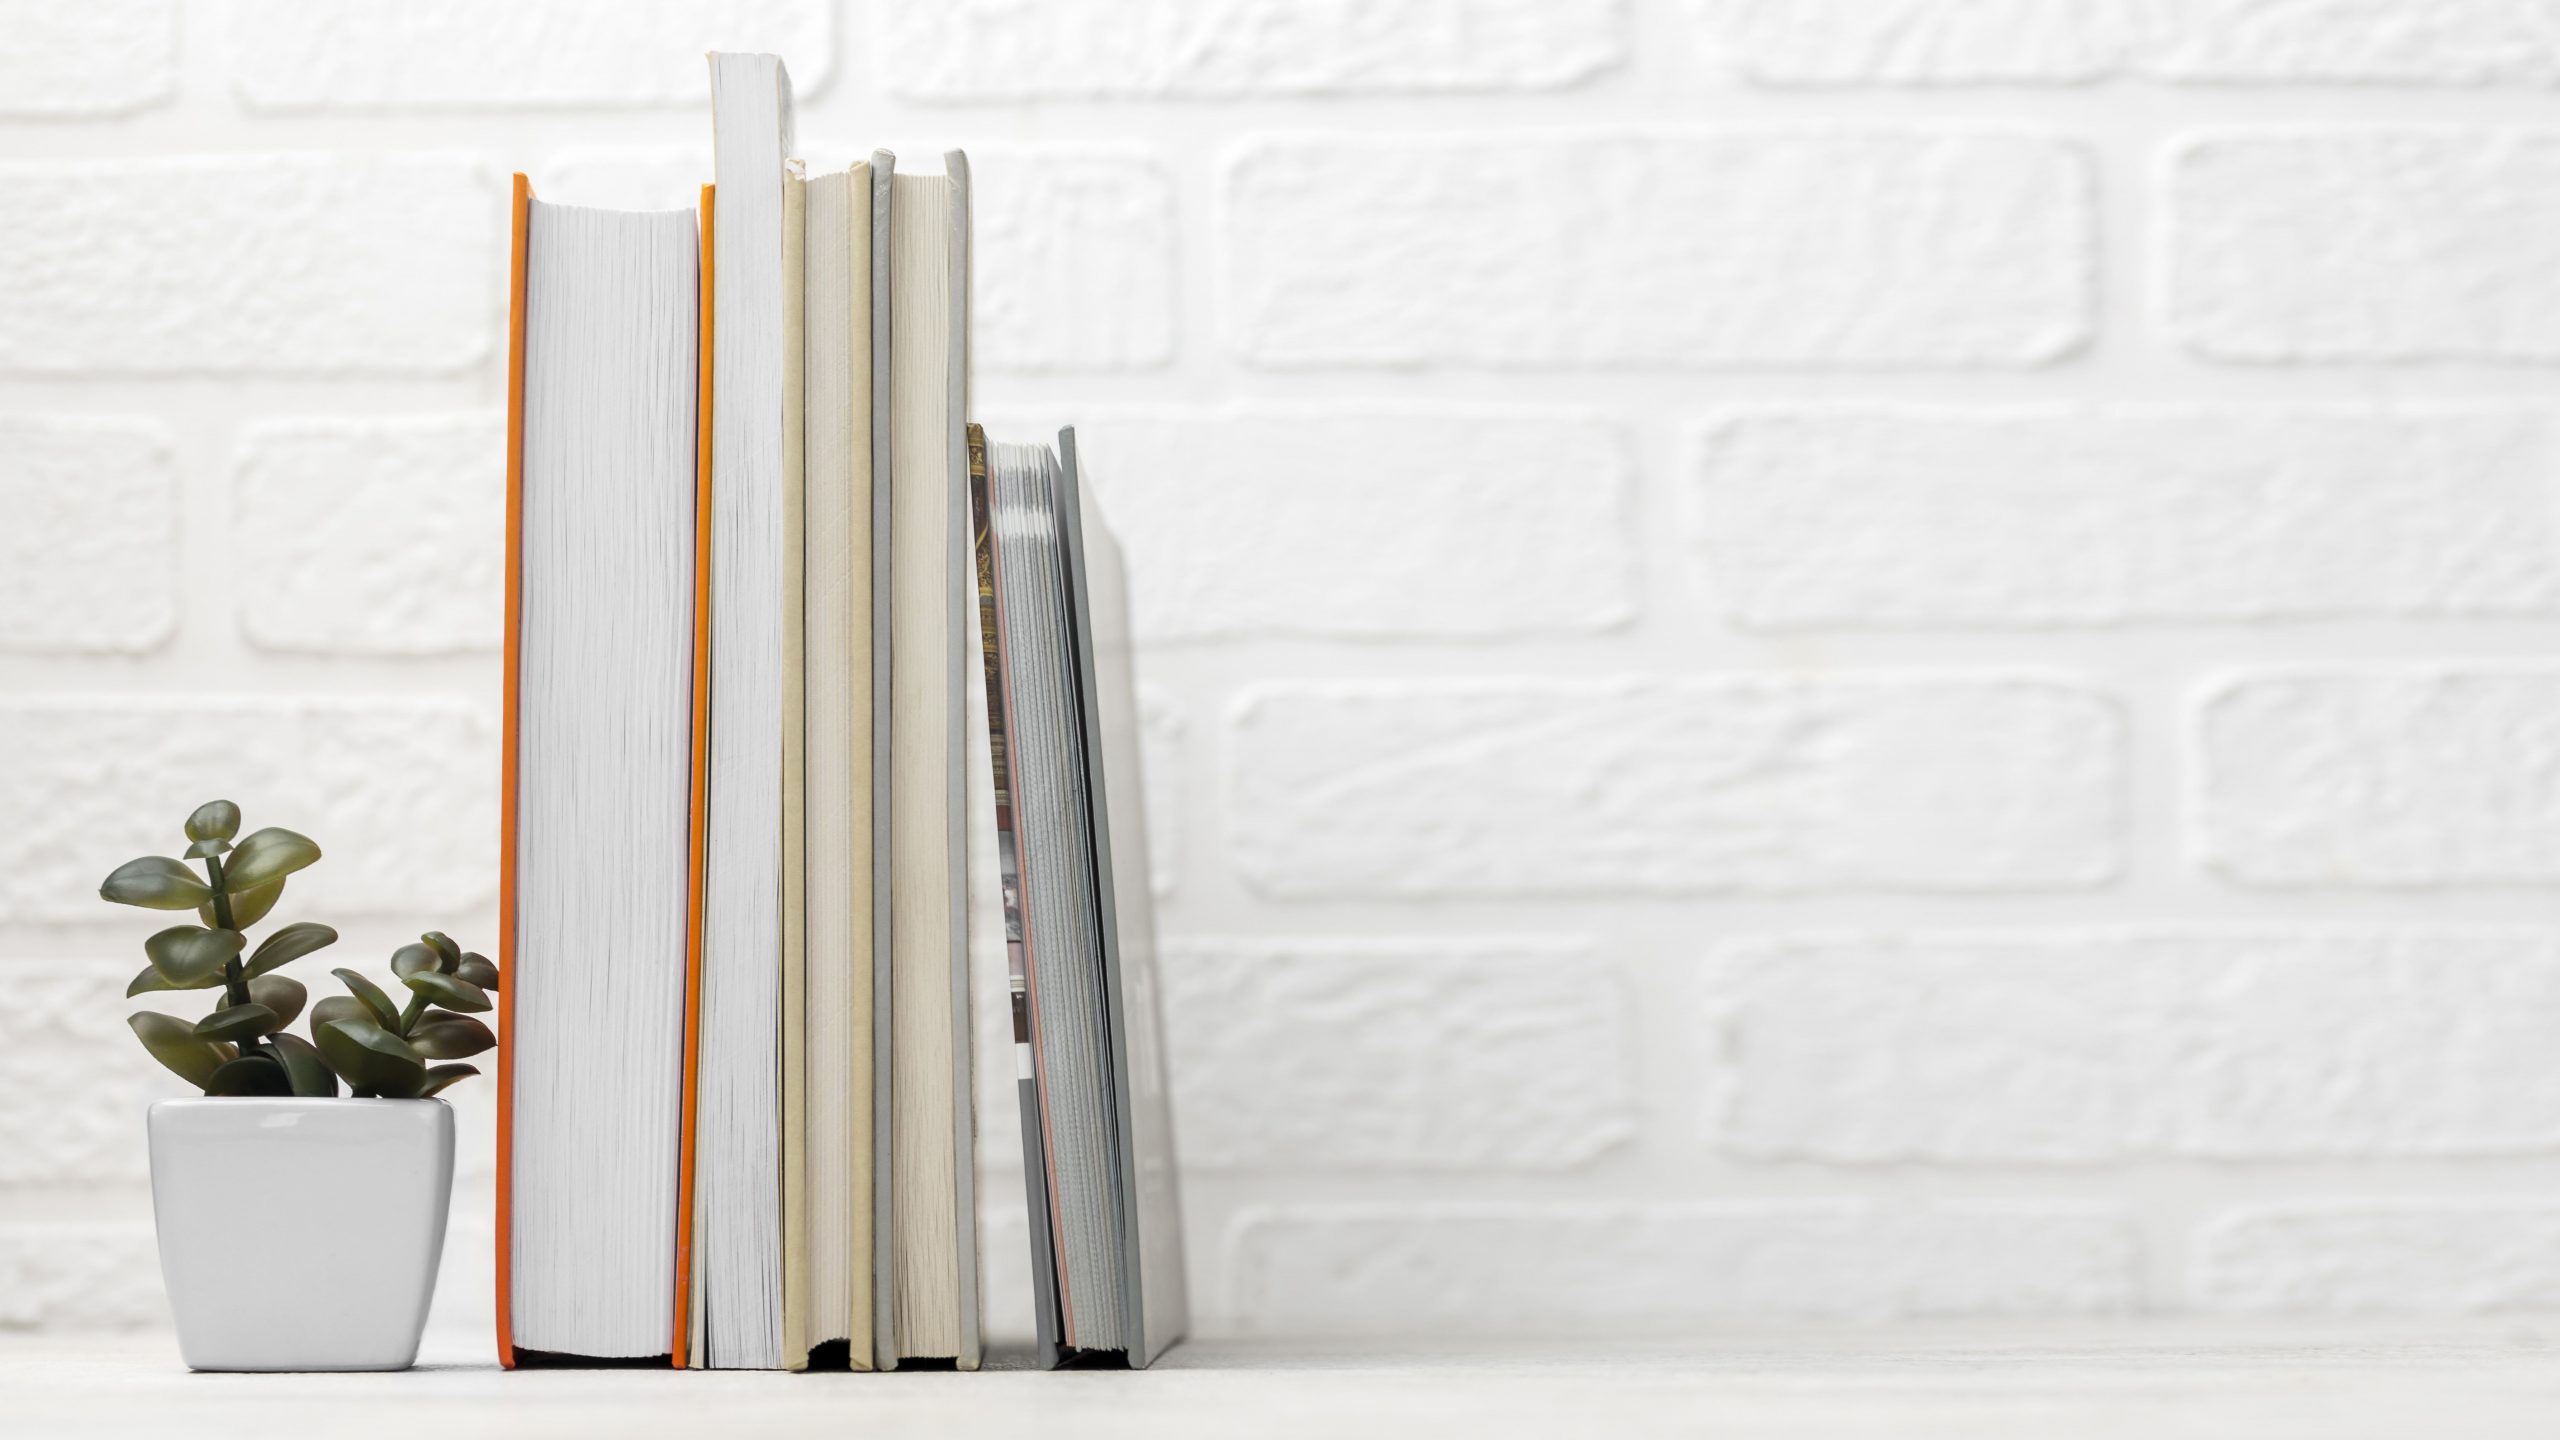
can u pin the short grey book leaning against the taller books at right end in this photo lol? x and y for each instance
(1107, 1244)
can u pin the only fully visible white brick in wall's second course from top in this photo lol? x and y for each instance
(1658, 250)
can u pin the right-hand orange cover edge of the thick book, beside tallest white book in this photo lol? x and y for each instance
(703, 785)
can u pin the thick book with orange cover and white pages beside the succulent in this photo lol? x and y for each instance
(603, 778)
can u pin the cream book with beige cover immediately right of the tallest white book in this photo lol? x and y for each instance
(838, 762)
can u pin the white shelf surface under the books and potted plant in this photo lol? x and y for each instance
(2054, 1380)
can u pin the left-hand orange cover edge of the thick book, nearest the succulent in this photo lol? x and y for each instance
(506, 826)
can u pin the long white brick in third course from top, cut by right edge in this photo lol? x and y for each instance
(1911, 519)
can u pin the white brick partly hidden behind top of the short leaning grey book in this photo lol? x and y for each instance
(1432, 524)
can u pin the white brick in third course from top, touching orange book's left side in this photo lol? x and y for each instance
(375, 537)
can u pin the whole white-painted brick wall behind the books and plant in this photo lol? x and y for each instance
(1801, 660)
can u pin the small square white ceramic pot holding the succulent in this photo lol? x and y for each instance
(301, 1234)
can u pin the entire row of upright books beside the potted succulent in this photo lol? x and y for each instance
(818, 706)
